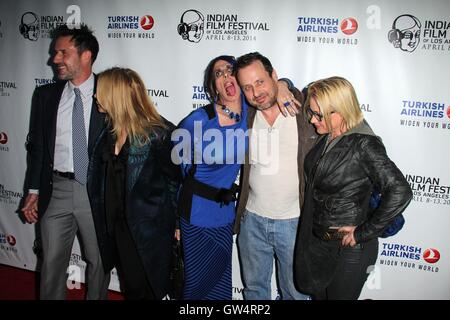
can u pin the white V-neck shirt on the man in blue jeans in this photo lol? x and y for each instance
(274, 184)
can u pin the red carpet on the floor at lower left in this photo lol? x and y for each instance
(20, 284)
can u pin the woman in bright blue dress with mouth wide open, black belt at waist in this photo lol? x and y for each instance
(211, 159)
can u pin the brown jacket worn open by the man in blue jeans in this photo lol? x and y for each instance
(306, 139)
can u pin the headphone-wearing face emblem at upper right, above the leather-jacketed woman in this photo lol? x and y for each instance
(405, 33)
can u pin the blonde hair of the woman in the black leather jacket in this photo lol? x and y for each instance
(336, 94)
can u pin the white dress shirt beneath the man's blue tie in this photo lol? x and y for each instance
(63, 144)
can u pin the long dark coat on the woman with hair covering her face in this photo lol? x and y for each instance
(152, 182)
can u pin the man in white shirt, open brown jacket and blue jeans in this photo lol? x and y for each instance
(272, 183)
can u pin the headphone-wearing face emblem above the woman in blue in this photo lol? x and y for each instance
(191, 26)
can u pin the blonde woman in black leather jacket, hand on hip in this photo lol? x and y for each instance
(338, 236)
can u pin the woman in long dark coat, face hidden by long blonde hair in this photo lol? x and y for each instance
(132, 185)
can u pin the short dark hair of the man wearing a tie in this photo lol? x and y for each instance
(82, 36)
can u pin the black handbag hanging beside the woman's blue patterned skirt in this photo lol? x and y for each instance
(177, 272)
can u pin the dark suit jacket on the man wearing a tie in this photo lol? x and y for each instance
(42, 135)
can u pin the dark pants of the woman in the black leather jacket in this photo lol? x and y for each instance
(351, 271)
